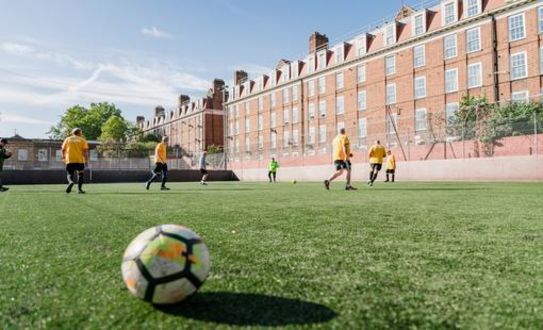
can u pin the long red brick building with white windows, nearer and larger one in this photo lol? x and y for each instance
(386, 82)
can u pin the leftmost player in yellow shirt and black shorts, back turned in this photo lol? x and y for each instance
(75, 154)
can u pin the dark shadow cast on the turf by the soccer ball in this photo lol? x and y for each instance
(246, 309)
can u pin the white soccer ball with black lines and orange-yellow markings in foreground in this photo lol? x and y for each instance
(165, 264)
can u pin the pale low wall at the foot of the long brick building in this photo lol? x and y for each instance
(473, 169)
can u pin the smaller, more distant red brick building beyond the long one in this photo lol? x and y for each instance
(193, 125)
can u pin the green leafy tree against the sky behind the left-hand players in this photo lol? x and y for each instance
(89, 120)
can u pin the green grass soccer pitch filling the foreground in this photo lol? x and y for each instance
(403, 255)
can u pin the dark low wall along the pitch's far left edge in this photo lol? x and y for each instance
(108, 176)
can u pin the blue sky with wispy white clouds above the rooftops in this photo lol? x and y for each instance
(138, 54)
